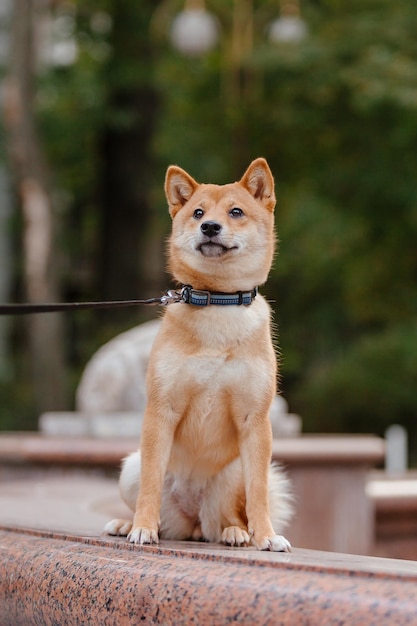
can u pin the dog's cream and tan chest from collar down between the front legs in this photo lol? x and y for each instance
(206, 390)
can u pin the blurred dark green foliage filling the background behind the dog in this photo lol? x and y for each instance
(336, 117)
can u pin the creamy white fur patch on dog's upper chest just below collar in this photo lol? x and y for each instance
(216, 359)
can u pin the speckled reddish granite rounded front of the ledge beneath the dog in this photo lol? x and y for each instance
(50, 579)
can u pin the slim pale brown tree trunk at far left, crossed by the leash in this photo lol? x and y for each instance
(45, 332)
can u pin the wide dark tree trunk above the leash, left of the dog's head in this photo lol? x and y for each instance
(127, 268)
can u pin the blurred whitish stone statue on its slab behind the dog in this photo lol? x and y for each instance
(111, 395)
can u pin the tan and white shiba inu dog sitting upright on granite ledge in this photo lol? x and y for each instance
(203, 470)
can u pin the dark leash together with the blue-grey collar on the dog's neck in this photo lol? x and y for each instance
(187, 294)
